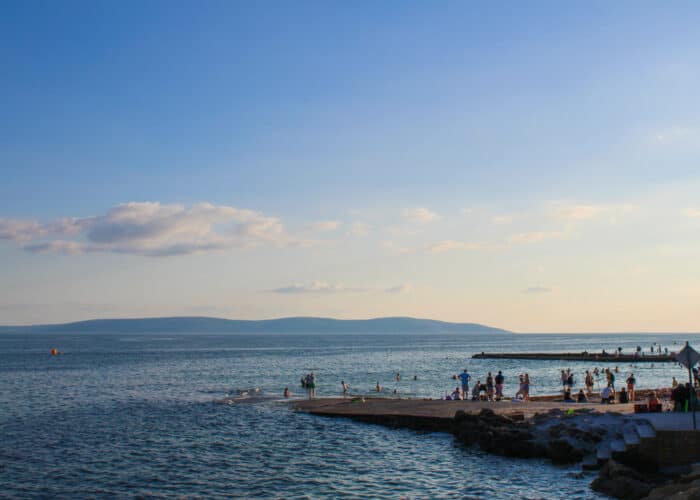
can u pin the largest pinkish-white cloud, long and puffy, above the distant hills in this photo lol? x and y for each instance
(153, 229)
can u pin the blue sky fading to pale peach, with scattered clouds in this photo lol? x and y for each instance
(533, 166)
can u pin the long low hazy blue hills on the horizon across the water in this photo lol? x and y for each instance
(281, 325)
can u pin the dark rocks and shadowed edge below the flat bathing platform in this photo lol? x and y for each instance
(563, 436)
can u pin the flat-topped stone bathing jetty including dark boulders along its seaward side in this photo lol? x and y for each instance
(597, 436)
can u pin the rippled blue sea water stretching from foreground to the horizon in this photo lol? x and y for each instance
(134, 415)
